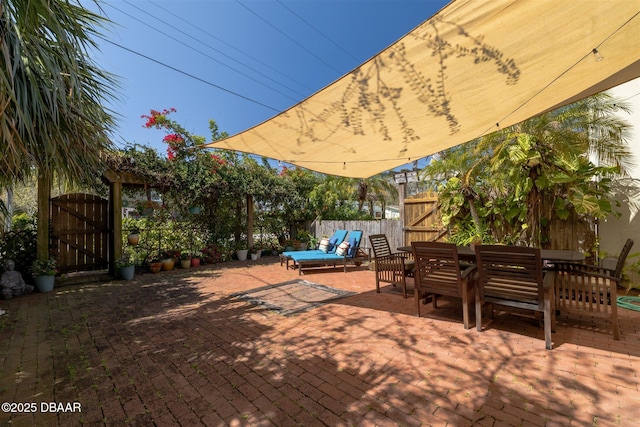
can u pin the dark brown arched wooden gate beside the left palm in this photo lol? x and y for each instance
(80, 232)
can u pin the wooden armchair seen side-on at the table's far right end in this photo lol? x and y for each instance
(591, 289)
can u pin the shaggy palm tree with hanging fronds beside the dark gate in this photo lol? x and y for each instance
(52, 97)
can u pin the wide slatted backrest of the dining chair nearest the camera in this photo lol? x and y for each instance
(512, 273)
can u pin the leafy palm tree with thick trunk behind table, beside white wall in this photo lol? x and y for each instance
(553, 151)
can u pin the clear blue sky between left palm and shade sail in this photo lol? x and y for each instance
(238, 62)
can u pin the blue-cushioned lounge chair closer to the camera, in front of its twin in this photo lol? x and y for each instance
(348, 252)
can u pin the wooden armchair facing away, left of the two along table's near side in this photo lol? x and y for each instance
(438, 272)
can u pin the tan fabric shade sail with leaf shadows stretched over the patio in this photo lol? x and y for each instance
(475, 67)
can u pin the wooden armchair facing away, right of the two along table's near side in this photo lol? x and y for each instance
(513, 276)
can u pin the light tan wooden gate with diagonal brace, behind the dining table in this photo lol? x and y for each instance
(422, 219)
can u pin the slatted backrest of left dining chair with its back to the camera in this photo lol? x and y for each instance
(437, 267)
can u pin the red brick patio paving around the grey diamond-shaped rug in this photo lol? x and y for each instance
(174, 348)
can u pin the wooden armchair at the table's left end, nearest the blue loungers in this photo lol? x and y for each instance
(390, 267)
